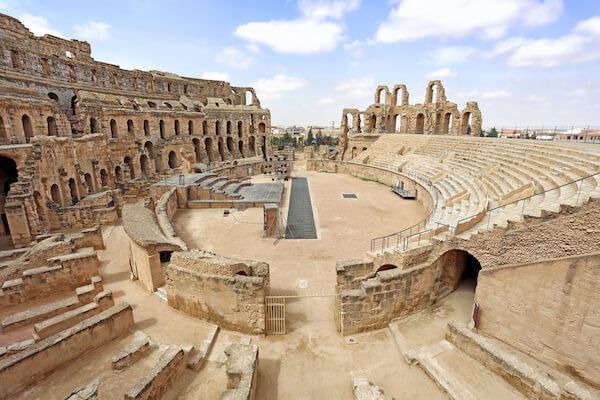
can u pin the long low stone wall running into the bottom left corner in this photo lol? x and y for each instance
(26, 367)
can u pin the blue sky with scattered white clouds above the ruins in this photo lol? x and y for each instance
(527, 62)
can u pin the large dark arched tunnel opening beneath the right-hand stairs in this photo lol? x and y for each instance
(457, 268)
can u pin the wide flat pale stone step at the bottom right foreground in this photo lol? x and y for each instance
(460, 376)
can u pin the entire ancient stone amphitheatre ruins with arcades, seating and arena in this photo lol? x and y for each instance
(155, 245)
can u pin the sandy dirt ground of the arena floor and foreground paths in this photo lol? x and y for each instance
(312, 361)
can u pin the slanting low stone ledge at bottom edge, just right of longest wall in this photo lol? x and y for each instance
(163, 375)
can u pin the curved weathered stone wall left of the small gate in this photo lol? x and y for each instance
(205, 286)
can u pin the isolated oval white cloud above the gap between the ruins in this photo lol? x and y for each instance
(300, 36)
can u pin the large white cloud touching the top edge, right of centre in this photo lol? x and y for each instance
(491, 19)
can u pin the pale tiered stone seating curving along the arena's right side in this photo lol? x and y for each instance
(475, 174)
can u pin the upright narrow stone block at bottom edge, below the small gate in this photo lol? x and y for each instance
(242, 364)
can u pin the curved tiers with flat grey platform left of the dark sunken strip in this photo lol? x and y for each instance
(211, 190)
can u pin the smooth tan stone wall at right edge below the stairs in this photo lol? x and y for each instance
(547, 309)
